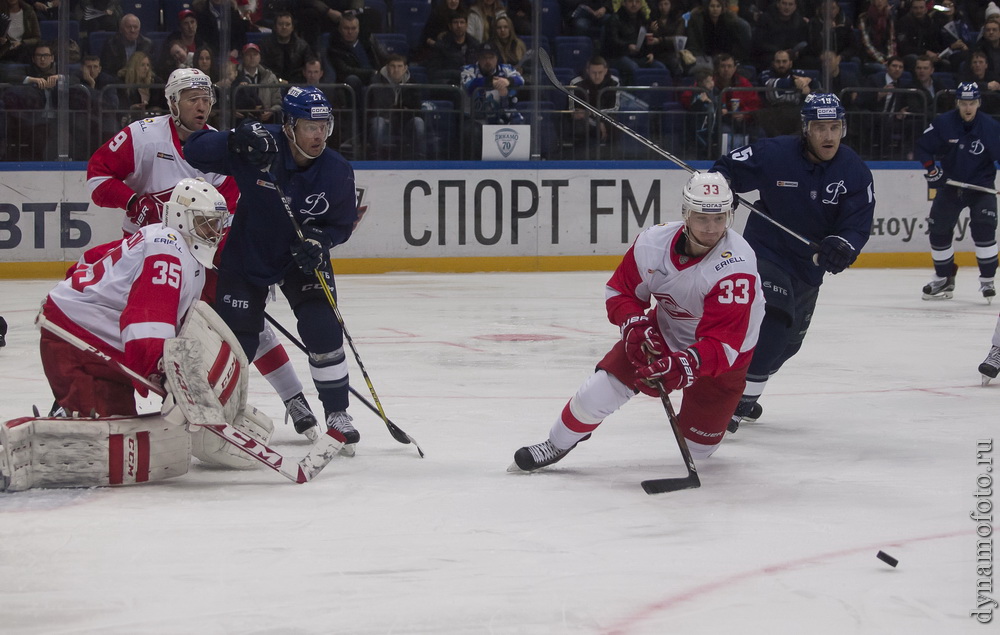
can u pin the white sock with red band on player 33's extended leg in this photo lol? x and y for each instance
(597, 398)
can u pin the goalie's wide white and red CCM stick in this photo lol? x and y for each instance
(308, 467)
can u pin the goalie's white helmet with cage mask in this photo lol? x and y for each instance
(199, 213)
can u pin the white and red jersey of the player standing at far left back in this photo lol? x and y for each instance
(146, 158)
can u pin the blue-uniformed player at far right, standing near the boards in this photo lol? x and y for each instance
(967, 143)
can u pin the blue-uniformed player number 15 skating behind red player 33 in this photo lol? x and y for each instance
(818, 188)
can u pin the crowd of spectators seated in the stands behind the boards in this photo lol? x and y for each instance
(731, 69)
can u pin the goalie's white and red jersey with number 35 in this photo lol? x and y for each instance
(131, 299)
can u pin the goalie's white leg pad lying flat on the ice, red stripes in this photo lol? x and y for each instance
(91, 452)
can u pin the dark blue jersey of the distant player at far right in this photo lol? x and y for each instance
(966, 151)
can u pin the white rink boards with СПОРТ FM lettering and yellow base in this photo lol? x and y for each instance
(486, 216)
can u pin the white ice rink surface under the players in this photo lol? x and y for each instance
(868, 442)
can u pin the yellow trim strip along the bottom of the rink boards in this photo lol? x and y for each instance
(57, 270)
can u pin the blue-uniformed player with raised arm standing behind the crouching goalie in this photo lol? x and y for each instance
(262, 247)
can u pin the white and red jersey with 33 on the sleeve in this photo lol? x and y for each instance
(712, 304)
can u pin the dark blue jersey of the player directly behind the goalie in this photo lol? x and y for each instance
(258, 245)
